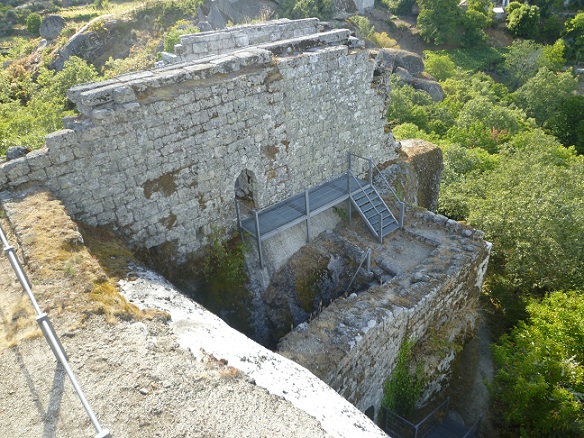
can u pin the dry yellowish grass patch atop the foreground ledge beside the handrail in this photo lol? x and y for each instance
(73, 273)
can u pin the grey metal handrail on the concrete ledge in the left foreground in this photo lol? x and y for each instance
(49, 334)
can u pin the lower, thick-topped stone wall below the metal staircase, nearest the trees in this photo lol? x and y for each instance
(353, 344)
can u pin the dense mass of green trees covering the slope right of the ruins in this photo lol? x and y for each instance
(507, 172)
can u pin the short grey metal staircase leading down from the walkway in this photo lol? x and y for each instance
(374, 211)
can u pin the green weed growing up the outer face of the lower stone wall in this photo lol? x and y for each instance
(403, 389)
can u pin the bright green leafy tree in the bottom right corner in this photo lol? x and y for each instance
(540, 382)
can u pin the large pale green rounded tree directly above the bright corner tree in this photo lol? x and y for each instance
(531, 208)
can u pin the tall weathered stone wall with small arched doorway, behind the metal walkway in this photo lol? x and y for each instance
(156, 154)
